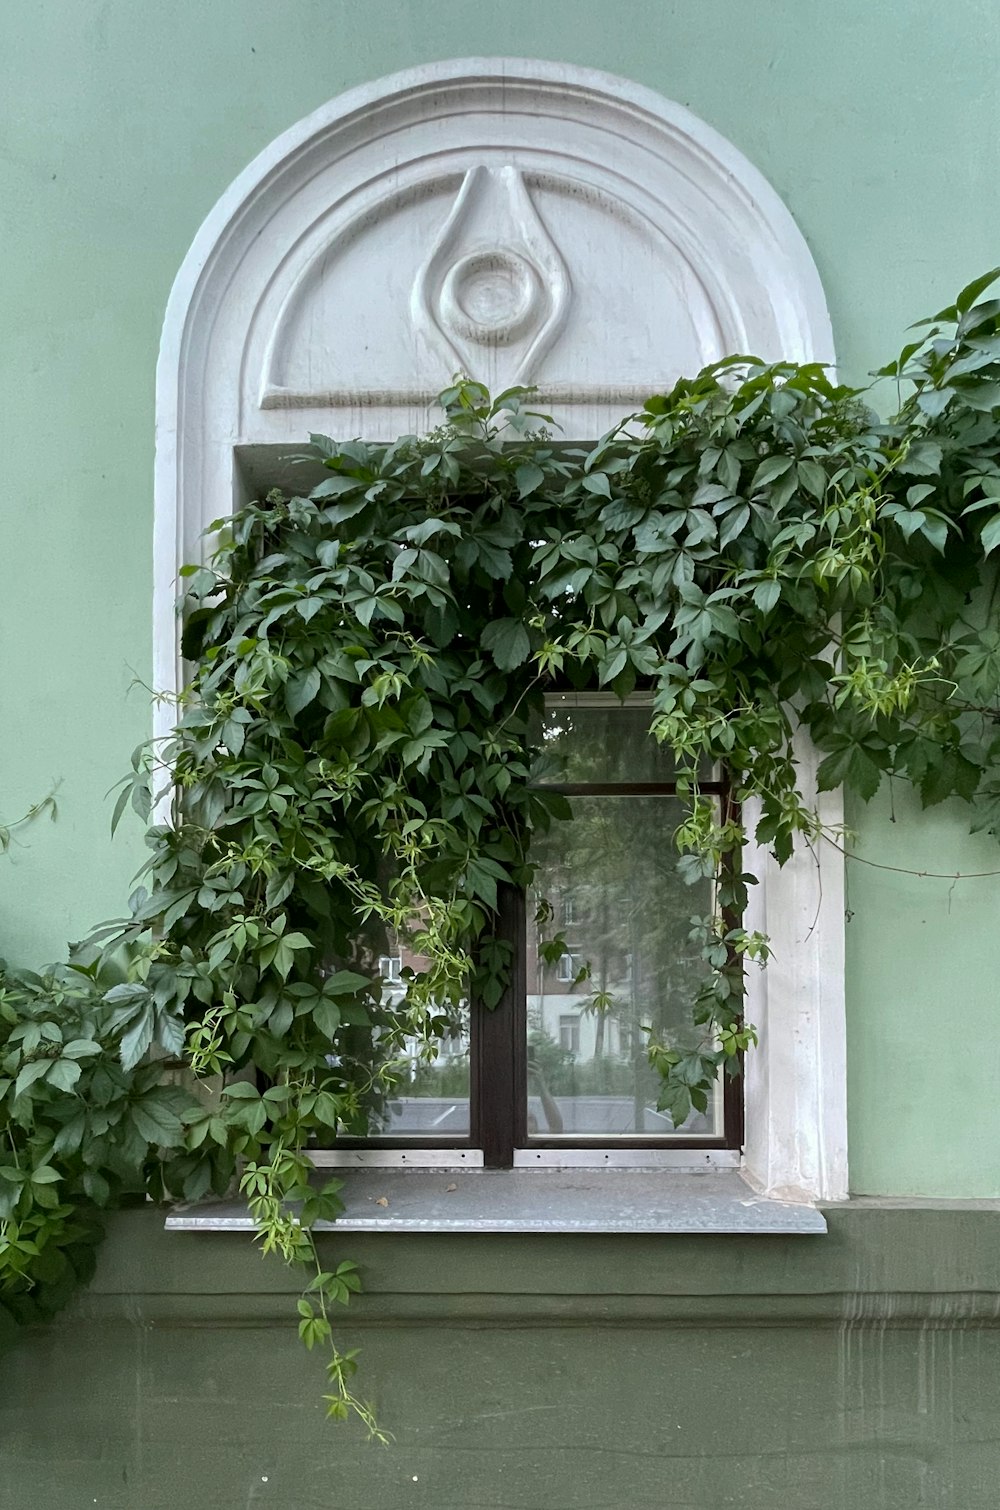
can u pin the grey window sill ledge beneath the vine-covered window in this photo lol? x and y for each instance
(539, 1201)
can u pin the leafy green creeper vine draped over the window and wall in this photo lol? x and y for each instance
(758, 550)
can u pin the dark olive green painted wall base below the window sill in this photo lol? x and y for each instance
(560, 1373)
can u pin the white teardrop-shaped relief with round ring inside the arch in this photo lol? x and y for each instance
(493, 292)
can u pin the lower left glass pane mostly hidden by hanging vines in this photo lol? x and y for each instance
(416, 1089)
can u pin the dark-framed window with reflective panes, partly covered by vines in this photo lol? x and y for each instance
(560, 1068)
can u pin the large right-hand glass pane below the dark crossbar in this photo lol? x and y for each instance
(608, 889)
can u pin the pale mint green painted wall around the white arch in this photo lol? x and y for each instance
(122, 123)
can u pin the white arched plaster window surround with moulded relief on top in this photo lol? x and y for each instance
(525, 223)
